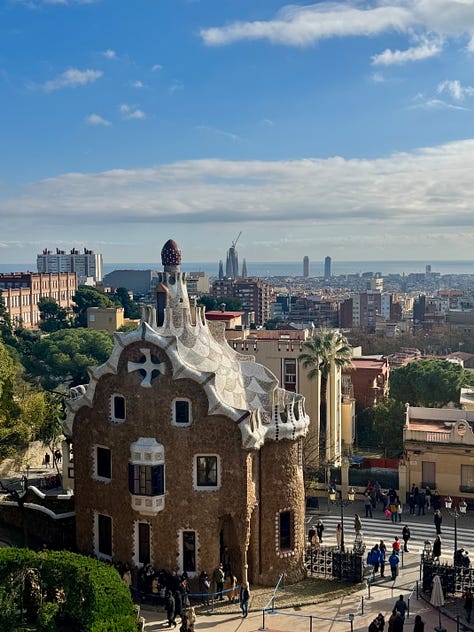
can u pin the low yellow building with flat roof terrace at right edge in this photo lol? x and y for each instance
(439, 451)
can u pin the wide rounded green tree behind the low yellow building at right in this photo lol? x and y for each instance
(430, 383)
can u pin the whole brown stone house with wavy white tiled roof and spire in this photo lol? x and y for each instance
(183, 448)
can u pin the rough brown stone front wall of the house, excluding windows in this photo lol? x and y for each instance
(149, 414)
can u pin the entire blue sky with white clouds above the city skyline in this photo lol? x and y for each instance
(328, 128)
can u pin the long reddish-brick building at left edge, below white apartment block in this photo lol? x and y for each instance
(21, 292)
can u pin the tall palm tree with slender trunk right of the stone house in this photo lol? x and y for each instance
(325, 348)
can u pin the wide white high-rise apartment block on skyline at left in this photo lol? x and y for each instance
(86, 264)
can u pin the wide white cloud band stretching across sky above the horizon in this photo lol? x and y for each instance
(431, 188)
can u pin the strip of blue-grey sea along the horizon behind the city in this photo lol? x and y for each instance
(292, 268)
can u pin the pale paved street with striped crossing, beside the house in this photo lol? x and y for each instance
(333, 616)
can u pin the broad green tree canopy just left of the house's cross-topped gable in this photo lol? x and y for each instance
(64, 356)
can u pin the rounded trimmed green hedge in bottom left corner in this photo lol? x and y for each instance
(59, 590)
